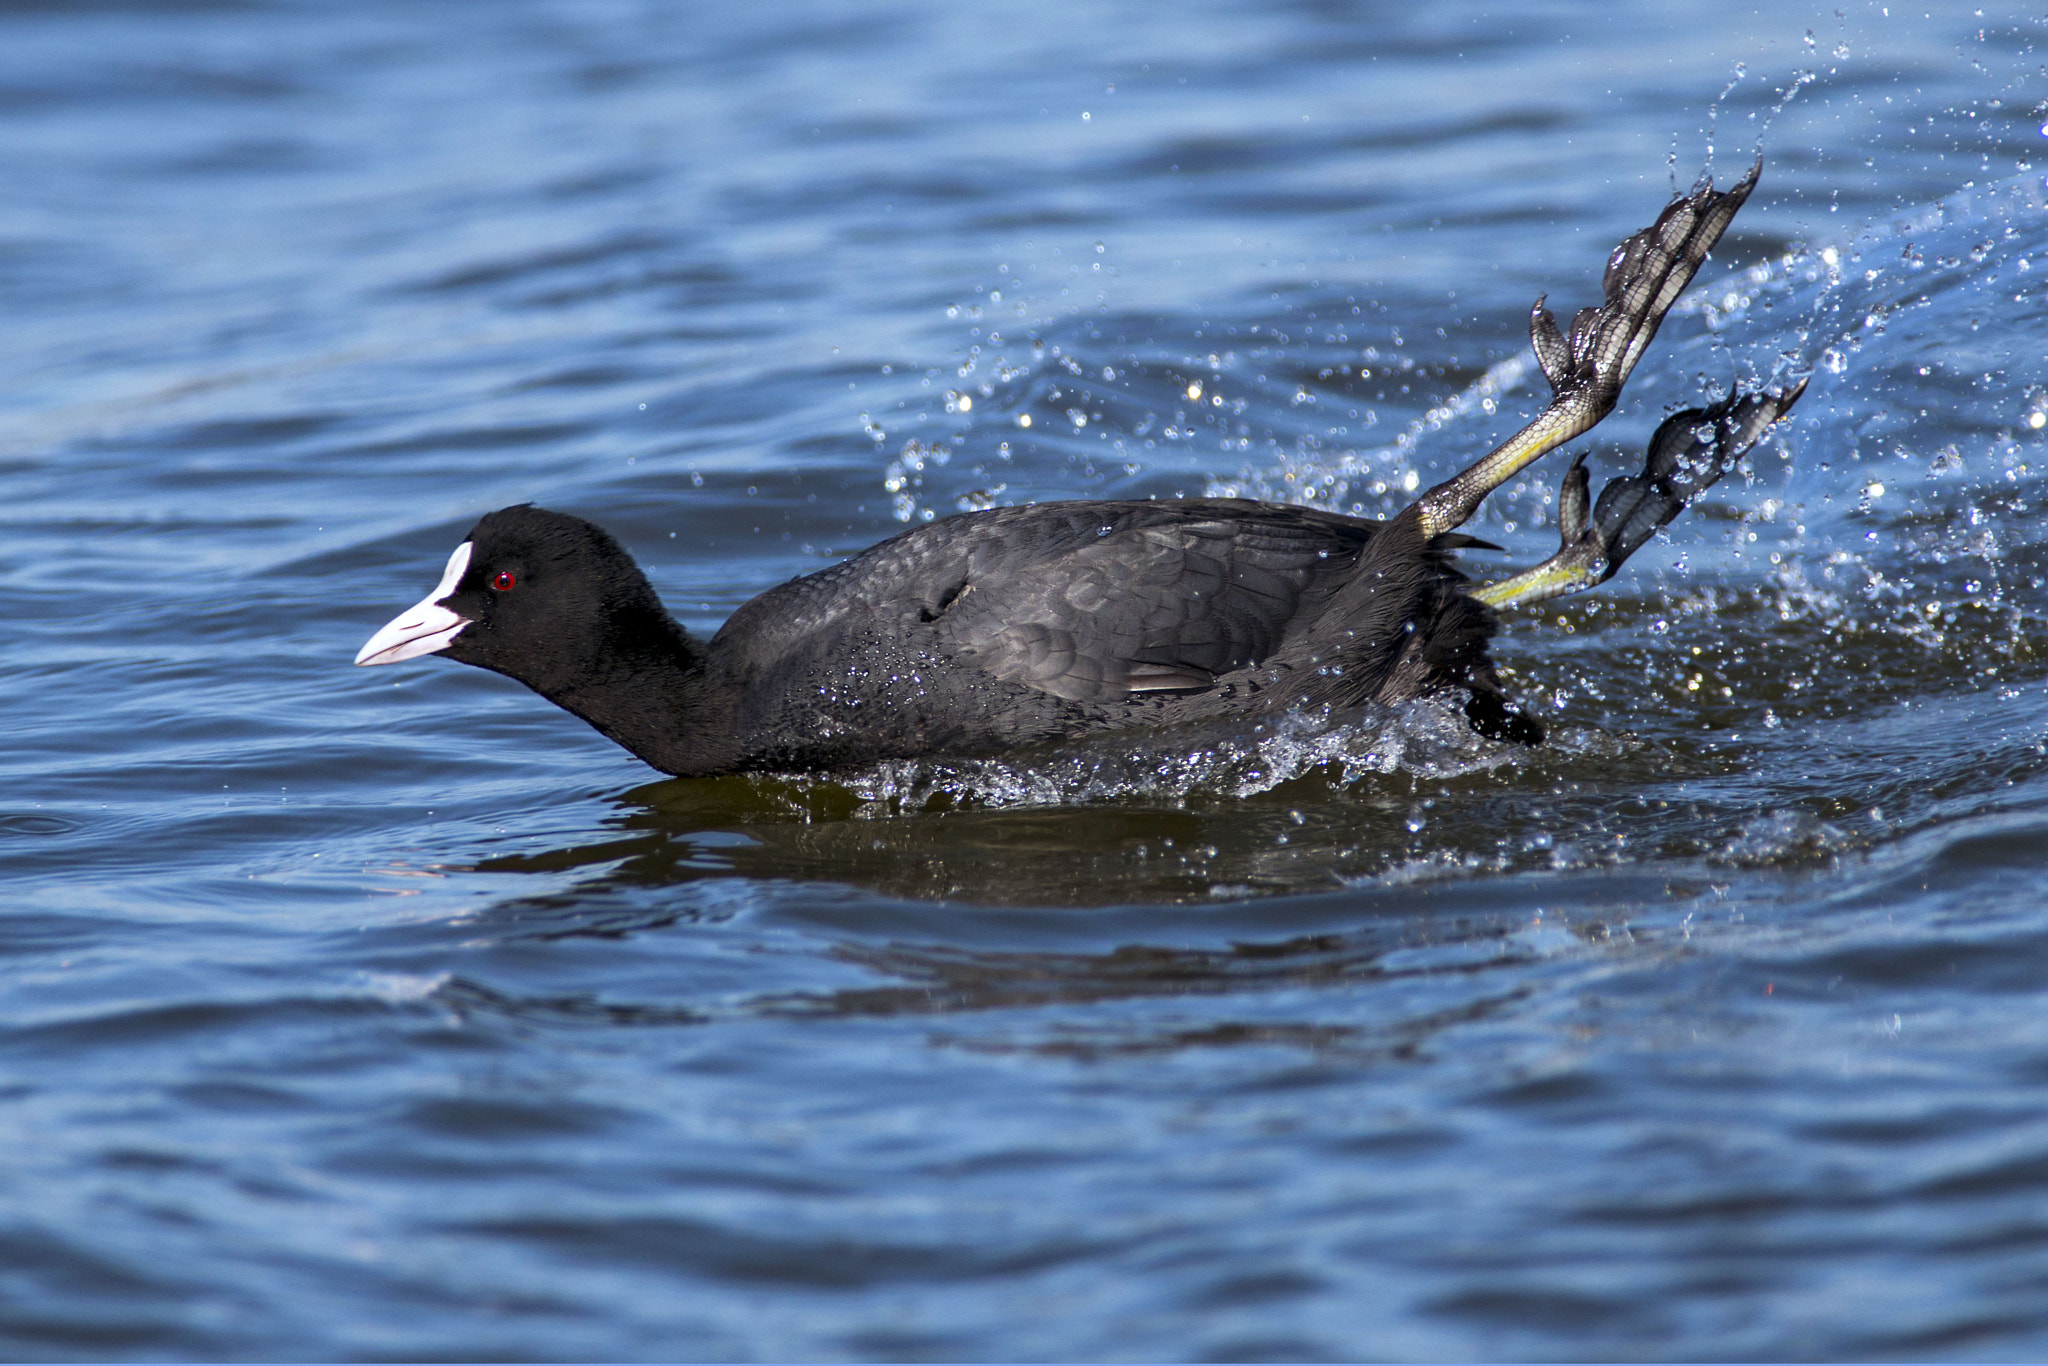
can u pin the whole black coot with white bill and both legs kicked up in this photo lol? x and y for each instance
(1002, 630)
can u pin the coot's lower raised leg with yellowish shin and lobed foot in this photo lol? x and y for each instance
(1689, 454)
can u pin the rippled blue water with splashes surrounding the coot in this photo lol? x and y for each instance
(392, 1013)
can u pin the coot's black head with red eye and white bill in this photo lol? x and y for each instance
(542, 597)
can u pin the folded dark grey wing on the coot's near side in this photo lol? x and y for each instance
(1089, 601)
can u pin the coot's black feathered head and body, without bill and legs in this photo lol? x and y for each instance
(986, 632)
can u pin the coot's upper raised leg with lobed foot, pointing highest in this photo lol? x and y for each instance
(1588, 370)
